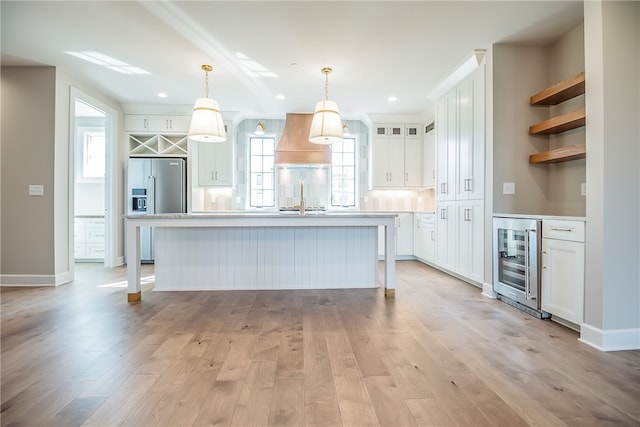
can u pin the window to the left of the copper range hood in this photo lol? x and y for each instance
(261, 171)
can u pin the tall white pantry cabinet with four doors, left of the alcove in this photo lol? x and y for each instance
(460, 142)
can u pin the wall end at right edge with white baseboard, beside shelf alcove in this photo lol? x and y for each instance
(612, 67)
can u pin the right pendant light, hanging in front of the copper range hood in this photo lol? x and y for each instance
(326, 126)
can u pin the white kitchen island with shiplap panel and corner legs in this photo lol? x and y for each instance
(241, 251)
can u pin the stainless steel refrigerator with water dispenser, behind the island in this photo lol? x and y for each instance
(155, 185)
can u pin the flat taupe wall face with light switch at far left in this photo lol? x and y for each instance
(28, 133)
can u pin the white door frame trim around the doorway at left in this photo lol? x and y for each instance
(110, 180)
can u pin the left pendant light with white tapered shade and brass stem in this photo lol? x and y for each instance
(206, 121)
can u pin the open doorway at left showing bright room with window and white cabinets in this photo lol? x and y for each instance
(92, 175)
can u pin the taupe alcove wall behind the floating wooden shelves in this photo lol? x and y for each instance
(519, 72)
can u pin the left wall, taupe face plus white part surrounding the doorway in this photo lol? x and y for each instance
(36, 239)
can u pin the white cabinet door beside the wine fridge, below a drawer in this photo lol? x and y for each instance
(563, 279)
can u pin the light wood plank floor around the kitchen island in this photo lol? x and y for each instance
(439, 354)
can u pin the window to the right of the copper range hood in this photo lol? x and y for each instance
(343, 173)
